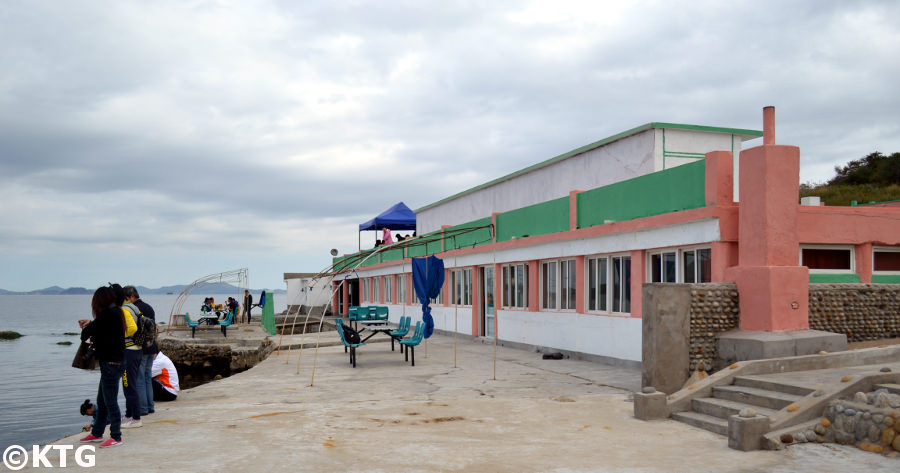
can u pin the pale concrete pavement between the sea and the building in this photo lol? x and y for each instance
(385, 415)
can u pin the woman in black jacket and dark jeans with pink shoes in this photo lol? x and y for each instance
(107, 333)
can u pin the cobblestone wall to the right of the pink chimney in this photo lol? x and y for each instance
(860, 311)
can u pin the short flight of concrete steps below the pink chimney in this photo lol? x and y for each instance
(766, 396)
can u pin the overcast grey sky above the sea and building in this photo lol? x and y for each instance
(153, 143)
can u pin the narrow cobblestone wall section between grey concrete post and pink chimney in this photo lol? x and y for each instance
(715, 308)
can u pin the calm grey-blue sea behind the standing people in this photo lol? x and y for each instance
(41, 391)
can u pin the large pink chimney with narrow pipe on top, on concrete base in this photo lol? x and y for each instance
(774, 289)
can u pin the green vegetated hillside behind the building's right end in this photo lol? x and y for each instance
(874, 178)
